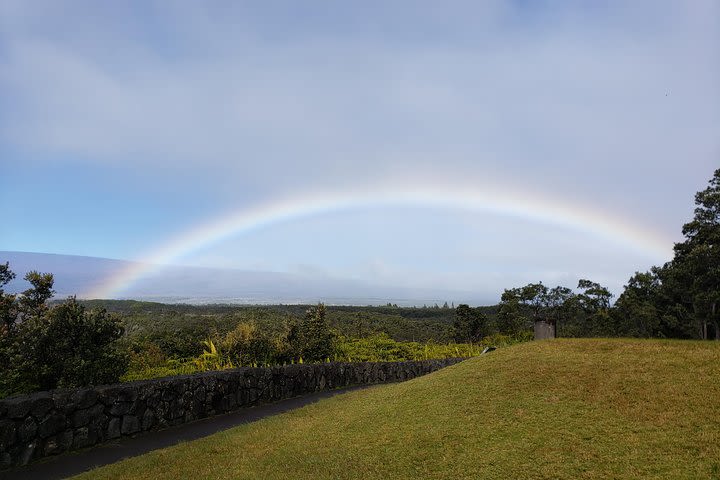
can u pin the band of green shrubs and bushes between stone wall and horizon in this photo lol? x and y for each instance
(68, 344)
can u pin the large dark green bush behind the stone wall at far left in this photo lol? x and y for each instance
(44, 347)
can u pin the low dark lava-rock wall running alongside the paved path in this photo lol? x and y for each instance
(49, 423)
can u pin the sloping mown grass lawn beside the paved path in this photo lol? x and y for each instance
(555, 409)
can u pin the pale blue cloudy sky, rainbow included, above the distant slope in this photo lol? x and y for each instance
(577, 131)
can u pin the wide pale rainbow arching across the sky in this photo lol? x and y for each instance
(522, 205)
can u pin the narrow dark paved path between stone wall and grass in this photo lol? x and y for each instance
(73, 463)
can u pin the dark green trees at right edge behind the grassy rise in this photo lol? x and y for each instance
(680, 299)
